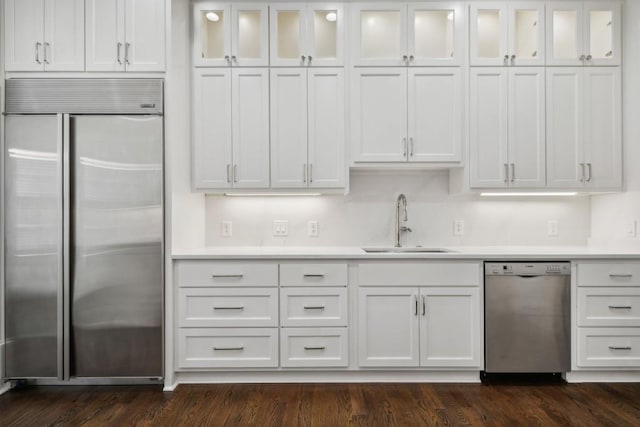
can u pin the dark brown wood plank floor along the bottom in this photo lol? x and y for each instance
(326, 405)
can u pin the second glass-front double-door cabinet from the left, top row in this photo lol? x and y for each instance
(307, 34)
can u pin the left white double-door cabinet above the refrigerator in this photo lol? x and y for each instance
(44, 35)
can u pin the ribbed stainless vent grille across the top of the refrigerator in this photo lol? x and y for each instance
(84, 96)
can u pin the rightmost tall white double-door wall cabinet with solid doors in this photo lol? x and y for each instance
(584, 141)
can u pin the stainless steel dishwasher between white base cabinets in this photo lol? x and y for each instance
(527, 323)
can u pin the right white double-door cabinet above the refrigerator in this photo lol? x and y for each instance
(125, 35)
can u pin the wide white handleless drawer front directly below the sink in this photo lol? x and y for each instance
(420, 274)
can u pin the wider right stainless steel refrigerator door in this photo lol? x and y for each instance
(116, 233)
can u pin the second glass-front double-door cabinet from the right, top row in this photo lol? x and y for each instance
(504, 33)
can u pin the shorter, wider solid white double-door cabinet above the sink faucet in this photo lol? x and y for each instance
(407, 114)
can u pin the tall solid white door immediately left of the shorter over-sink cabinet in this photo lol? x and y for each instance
(327, 151)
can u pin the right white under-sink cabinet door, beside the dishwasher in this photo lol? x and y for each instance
(450, 326)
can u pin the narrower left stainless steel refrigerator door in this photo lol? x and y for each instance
(33, 246)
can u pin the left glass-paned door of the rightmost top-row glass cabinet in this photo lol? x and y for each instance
(565, 33)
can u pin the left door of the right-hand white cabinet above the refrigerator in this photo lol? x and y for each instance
(104, 23)
